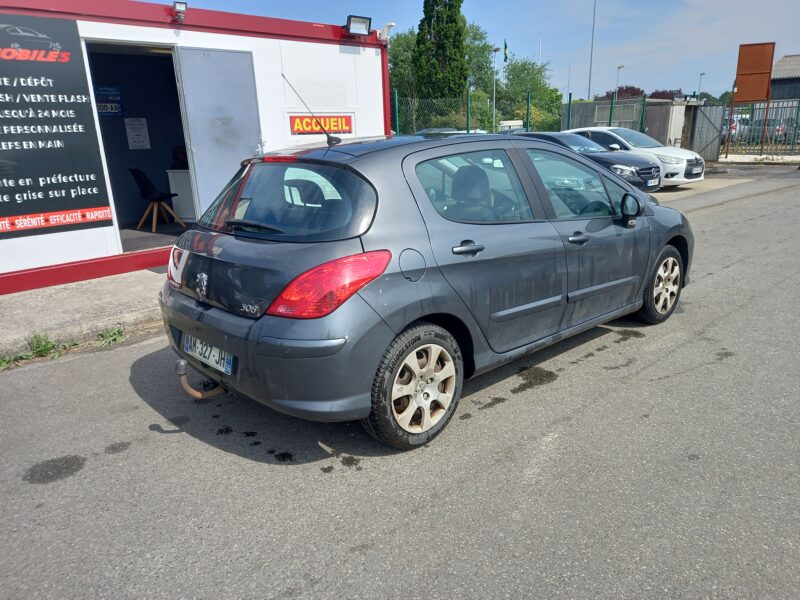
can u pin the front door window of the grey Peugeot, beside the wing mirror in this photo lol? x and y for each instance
(574, 190)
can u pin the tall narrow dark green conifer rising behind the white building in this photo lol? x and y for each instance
(440, 54)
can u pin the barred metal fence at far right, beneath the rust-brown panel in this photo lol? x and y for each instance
(762, 128)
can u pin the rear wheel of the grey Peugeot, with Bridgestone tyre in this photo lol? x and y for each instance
(417, 387)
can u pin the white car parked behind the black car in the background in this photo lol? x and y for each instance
(678, 165)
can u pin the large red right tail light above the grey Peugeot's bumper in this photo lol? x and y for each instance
(321, 290)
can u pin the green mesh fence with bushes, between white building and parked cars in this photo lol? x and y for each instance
(472, 113)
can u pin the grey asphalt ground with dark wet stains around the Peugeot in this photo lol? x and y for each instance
(629, 462)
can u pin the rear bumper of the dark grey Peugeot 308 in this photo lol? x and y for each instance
(285, 363)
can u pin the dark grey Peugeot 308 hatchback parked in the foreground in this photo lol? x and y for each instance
(368, 280)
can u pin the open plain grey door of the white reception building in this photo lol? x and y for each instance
(220, 111)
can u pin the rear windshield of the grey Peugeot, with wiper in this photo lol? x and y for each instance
(293, 202)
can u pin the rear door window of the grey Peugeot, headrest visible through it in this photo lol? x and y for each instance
(475, 187)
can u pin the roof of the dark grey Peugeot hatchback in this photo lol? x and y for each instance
(352, 149)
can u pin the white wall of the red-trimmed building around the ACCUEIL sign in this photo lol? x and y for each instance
(339, 79)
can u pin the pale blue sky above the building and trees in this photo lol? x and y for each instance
(661, 45)
